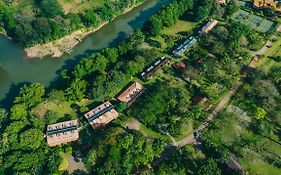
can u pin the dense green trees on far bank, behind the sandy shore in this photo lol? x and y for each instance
(41, 21)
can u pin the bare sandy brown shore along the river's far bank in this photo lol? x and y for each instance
(57, 48)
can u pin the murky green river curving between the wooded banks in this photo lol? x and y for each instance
(16, 69)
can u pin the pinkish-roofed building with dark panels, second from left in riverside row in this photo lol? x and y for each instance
(101, 115)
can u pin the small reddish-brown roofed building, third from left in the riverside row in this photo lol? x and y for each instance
(131, 93)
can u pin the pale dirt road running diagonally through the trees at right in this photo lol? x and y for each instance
(226, 99)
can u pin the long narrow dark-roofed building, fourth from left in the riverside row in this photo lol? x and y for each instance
(148, 73)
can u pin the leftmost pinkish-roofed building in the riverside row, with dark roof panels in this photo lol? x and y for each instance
(62, 132)
